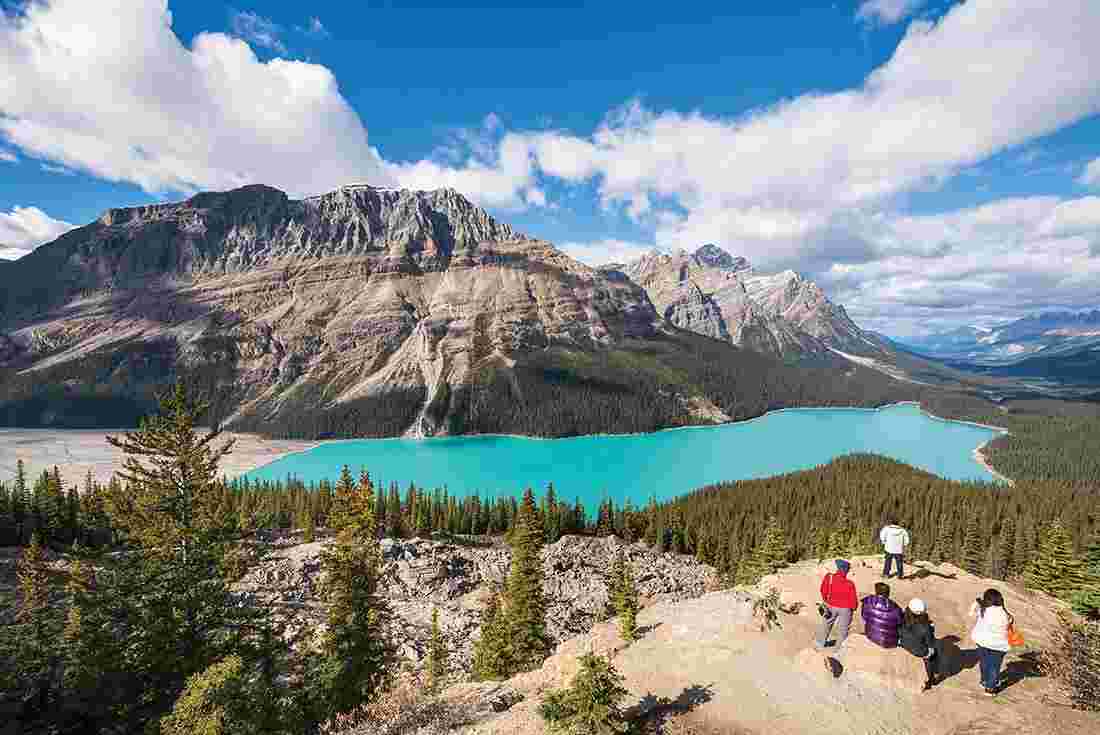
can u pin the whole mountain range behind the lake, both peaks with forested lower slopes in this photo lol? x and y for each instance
(372, 312)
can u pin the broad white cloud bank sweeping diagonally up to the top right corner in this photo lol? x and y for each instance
(778, 182)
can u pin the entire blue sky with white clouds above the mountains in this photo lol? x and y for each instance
(929, 163)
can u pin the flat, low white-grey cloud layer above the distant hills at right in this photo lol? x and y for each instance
(986, 265)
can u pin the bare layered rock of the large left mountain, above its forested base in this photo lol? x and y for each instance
(372, 305)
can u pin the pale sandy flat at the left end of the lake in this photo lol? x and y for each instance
(76, 452)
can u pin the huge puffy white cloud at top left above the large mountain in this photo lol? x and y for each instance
(108, 89)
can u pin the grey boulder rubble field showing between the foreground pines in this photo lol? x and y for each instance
(421, 576)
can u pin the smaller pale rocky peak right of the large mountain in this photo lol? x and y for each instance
(712, 293)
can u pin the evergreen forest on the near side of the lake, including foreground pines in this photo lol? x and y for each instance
(144, 633)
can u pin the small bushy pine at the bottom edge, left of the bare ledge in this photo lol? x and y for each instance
(591, 705)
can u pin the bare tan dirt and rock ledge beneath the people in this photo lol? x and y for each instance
(708, 661)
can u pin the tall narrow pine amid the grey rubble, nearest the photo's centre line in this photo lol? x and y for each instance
(524, 605)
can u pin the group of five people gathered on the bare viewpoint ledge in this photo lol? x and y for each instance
(889, 627)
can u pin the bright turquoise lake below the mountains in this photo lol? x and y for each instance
(662, 465)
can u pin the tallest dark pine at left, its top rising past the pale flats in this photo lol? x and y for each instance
(173, 589)
